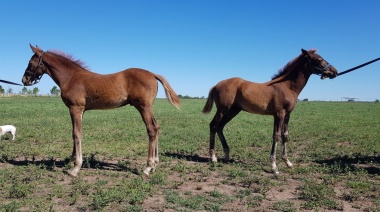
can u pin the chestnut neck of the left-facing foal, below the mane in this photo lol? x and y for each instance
(56, 69)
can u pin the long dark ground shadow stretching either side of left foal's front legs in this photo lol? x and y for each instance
(88, 163)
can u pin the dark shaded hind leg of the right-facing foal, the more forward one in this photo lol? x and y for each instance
(226, 118)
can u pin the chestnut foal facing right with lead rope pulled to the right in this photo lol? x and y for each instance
(277, 97)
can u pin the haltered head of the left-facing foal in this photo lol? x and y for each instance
(35, 69)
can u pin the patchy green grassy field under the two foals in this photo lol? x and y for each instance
(335, 147)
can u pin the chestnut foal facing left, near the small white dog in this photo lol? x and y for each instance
(83, 90)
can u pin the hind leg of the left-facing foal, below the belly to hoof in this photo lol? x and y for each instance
(152, 128)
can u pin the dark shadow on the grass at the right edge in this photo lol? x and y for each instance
(369, 163)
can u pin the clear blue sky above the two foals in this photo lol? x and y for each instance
(197, 43)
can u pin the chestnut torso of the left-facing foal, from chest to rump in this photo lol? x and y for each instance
(96, 91)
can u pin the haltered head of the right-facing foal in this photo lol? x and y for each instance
(318, 65)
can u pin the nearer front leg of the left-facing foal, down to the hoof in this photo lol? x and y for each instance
(76, 114)
